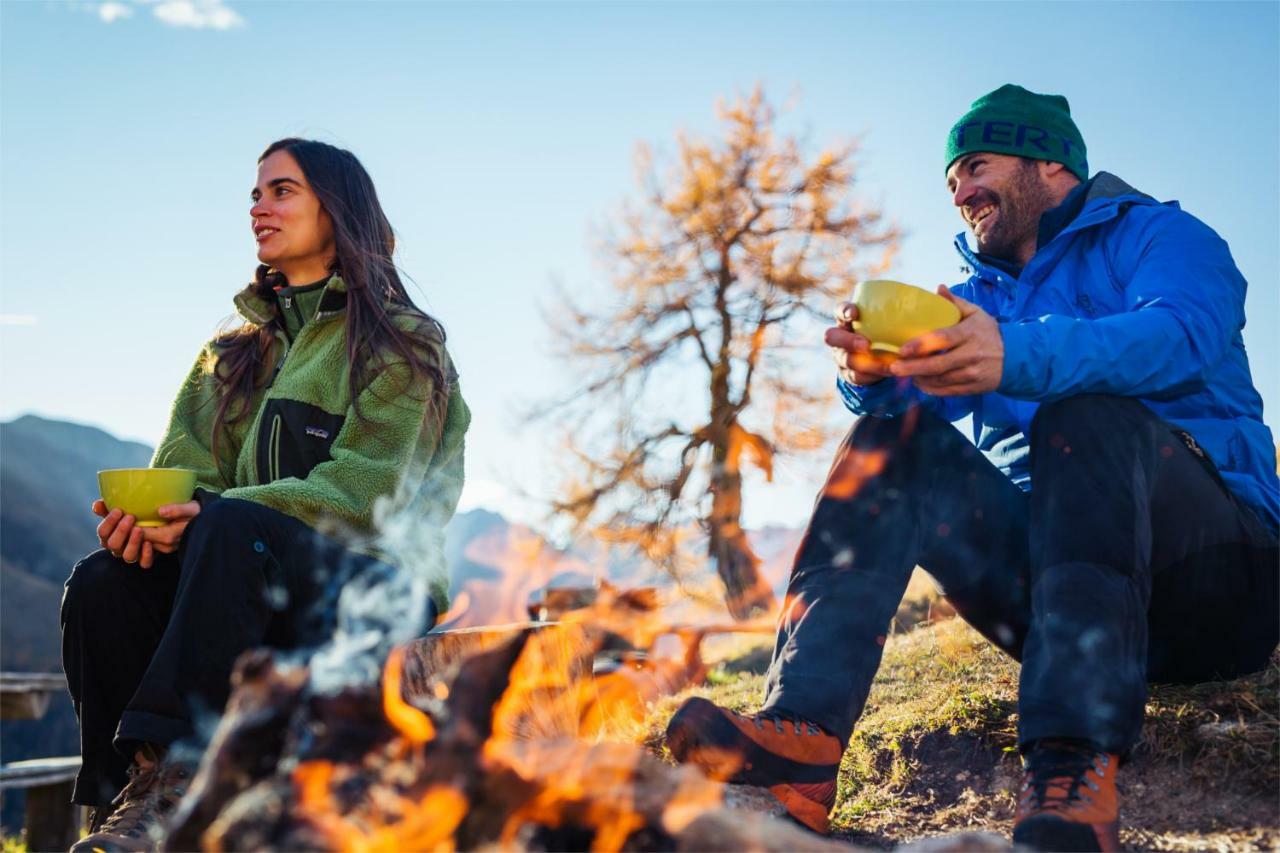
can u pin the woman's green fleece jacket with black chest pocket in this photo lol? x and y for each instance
(388, 481)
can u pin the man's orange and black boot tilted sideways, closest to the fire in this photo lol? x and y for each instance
(796, 760)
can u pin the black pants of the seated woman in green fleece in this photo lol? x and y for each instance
(150, 653)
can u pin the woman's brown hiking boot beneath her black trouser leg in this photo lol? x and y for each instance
(140, 810)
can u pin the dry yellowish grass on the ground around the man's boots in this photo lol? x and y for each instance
(935, 751)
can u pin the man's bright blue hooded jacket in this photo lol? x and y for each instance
(1133, 298)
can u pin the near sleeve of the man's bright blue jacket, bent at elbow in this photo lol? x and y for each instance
(1183, 304)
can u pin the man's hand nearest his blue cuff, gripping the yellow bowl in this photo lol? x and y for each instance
(963, 359)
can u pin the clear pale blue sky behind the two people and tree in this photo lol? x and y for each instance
(502, 138)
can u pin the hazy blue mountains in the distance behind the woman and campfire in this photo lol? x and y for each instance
(48, 482)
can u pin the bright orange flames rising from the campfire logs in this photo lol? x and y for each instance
(542, 724)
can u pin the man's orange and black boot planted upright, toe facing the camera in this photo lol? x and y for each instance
(1069, 800)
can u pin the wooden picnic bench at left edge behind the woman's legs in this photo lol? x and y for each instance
(52, 822)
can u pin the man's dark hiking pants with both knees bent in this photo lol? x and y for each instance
(1130, 562)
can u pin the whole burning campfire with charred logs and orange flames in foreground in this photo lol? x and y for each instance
(518, 737)
